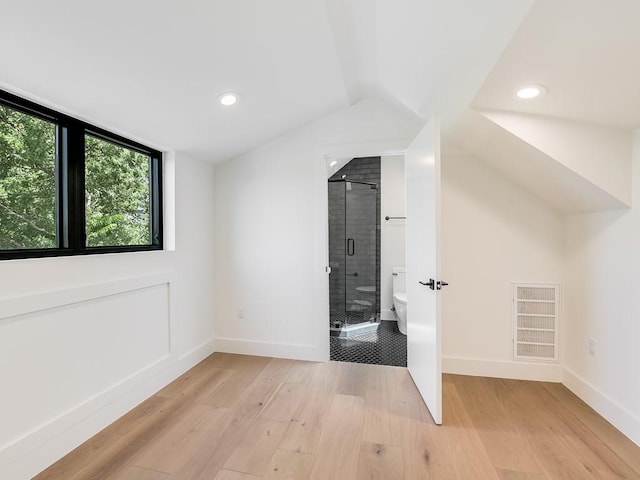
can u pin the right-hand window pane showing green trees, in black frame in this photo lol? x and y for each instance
(117, 194)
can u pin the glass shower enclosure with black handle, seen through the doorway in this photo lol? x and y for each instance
(353, 252)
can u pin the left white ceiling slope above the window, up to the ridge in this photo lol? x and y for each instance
(154, 68)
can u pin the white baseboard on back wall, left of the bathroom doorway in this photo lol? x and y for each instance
(314, 353)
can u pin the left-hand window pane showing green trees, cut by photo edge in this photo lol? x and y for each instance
(27, 181)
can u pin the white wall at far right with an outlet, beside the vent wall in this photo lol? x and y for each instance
(603, 279)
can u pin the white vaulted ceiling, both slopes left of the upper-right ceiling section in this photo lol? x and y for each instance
(152, 69)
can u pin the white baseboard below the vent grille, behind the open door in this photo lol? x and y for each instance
(542, 372)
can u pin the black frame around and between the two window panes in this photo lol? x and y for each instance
(70, 184)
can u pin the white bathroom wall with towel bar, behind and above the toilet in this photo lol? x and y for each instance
(392, 249)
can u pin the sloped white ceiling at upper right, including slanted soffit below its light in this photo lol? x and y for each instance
(583, 52)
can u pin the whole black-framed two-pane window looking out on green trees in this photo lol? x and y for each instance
(67, 187)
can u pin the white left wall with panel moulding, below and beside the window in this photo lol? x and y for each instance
(84, 339)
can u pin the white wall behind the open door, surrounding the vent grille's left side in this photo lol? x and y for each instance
(494, 233)
